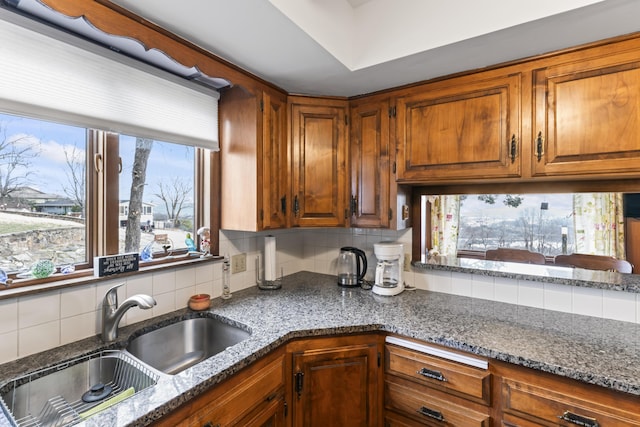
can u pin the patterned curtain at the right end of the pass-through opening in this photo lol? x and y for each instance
(599, 224)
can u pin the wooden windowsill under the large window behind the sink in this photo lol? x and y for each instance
(23, 287)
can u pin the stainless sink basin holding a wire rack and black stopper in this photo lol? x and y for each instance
(62, 395)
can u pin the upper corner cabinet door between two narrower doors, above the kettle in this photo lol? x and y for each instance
(319, 146)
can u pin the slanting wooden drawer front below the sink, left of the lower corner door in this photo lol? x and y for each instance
(241, 399)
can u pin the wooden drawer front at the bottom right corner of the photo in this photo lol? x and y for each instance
(549, 407)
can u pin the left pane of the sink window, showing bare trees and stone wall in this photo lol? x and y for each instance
(42, 193)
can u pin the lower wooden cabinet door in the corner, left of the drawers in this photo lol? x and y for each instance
(336, 387)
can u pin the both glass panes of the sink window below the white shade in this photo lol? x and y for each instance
(46, 212)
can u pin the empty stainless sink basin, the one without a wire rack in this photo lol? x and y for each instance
(176, 347)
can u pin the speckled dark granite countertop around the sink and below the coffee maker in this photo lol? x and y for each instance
(593, 350)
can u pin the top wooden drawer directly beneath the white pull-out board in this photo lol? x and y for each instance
(456, 378)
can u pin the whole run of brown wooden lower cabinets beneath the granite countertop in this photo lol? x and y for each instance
(348, 381)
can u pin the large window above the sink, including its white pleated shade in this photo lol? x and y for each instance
(71, 173)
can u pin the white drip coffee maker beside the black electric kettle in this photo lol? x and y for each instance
(388, 278)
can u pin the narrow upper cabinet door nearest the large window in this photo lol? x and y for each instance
(274, 162)
